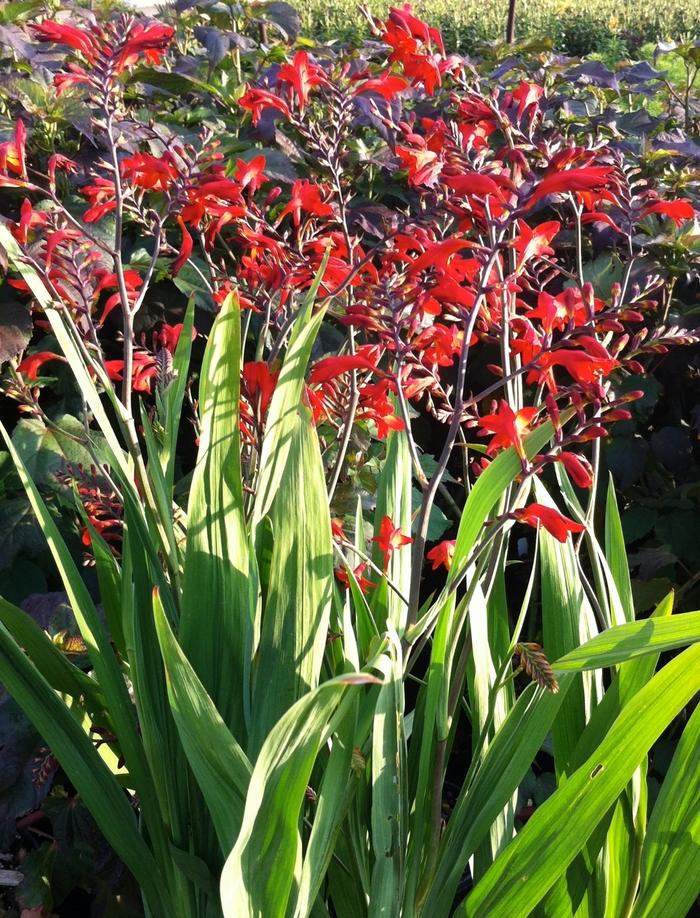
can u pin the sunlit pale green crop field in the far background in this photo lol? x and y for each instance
(577, 26)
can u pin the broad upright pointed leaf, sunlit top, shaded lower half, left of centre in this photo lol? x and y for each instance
(219, 581)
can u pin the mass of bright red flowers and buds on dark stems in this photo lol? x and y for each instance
(480, 263)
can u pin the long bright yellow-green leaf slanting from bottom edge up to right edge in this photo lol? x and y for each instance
(550, 841)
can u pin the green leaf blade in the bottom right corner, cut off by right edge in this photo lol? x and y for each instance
(670, 872)
